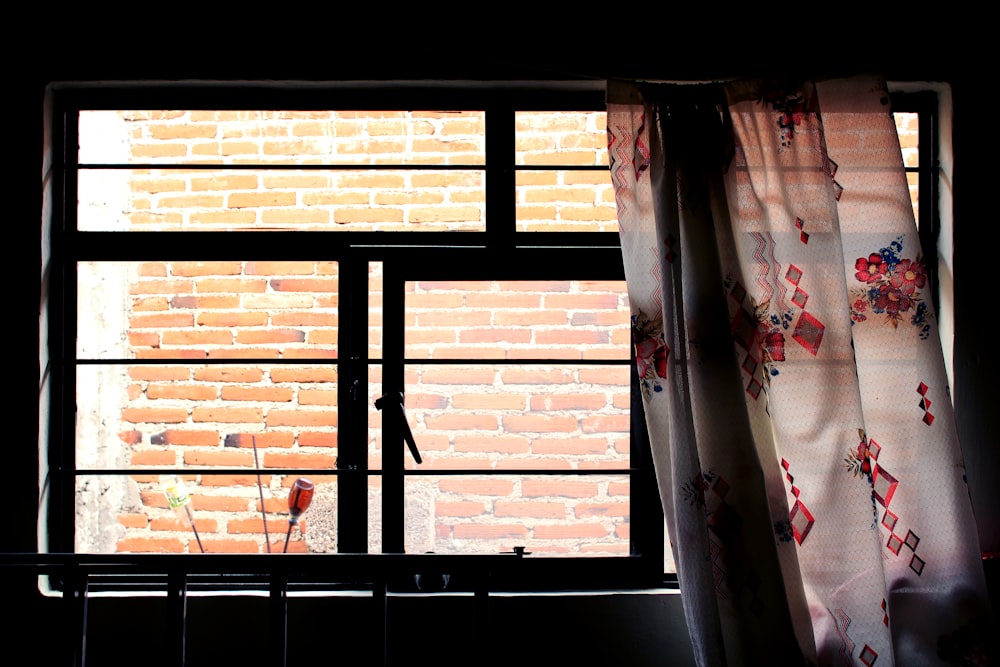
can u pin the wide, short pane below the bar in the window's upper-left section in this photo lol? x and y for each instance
(269, 200)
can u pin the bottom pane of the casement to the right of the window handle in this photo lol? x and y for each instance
(549, 515)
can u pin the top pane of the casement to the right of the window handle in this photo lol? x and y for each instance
(546, 319)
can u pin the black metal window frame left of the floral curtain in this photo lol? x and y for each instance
(500, 249)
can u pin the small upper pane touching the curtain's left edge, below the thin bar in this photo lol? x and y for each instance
(565, 201)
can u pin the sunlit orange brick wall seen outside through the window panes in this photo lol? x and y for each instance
(276, 417)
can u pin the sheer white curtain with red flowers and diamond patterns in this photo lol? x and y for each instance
(793, 380)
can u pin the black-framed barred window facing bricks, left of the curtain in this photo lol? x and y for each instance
(410, 298)
